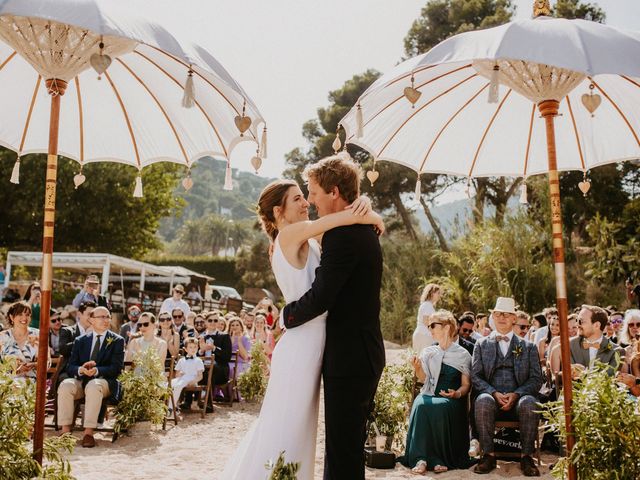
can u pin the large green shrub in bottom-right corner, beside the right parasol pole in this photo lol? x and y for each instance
(606, 425)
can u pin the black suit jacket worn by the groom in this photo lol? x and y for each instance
(347, 285)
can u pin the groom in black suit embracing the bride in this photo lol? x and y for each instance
(347, 285)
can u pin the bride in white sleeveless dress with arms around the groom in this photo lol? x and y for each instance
(288, 419)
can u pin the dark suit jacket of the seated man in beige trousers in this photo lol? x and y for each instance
(110, 360)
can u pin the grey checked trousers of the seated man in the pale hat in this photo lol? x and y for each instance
(486, 411)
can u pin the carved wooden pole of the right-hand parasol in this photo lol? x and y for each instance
(549, 110)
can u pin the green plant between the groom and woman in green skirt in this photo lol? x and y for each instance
(391, 404)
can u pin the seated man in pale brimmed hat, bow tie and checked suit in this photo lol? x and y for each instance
(506, 376)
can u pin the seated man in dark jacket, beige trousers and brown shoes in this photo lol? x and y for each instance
(96, 361)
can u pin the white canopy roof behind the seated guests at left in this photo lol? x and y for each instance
(110, 267)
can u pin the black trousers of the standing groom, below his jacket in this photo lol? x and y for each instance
(348, 401)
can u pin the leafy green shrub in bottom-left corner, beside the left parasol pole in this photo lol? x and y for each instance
(17, 407)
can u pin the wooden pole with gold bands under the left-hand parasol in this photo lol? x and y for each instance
(56, 89)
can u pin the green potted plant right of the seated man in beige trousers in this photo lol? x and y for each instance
(144, 394)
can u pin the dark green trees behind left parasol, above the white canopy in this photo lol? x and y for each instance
(100, 216)
